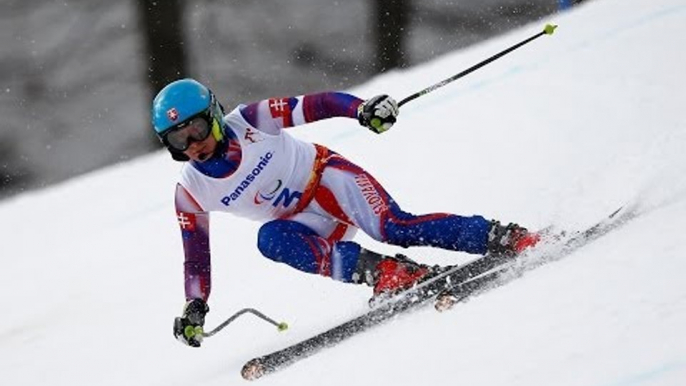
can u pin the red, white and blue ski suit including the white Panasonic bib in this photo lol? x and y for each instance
(311, 199)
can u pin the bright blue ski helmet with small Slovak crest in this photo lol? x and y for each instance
(178, 103)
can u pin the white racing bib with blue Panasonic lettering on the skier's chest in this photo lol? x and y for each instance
(269, 181)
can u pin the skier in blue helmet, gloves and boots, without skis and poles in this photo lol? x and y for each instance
(311, 199)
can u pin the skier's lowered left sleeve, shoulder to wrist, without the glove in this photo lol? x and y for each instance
(195, 227)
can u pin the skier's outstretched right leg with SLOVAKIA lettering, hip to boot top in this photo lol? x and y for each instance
(353, 196)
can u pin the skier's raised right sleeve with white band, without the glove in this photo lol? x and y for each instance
(272, 115)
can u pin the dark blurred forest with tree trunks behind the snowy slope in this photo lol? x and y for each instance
(78, 75)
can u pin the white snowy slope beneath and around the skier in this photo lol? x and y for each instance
(561, 131)
